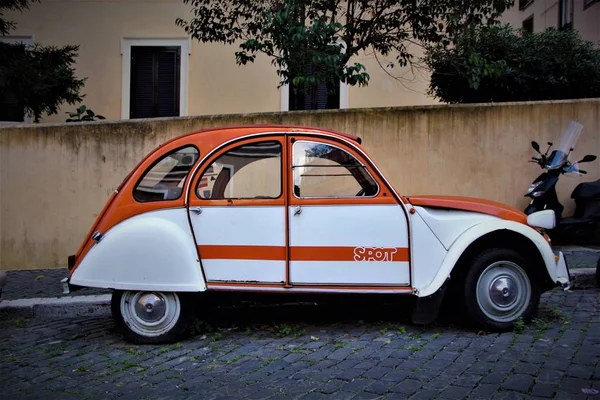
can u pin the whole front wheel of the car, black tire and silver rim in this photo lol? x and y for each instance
(509, 290)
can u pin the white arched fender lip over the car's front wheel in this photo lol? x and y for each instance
(557, 271)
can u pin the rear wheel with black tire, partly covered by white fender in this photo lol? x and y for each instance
(133, 329)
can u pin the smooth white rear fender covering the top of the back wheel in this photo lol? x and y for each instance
(151, 251)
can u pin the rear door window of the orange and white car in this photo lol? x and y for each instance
(249, 171)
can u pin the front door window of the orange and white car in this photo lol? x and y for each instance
(323, 170)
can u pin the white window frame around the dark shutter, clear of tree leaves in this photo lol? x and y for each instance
(186, 51)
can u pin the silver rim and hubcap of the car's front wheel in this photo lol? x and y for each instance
(503, 291)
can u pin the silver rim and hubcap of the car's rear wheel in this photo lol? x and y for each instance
(150, 313)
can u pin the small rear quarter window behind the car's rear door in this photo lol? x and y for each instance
(164, 179)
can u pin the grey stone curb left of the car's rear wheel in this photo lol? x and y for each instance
(53, 307)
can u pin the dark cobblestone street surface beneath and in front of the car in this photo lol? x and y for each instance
(364, 351)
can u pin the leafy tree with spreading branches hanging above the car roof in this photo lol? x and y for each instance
(312, 42)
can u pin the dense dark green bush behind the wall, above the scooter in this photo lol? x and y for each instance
(500, 63)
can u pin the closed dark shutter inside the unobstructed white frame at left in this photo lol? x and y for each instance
(154, 81)
